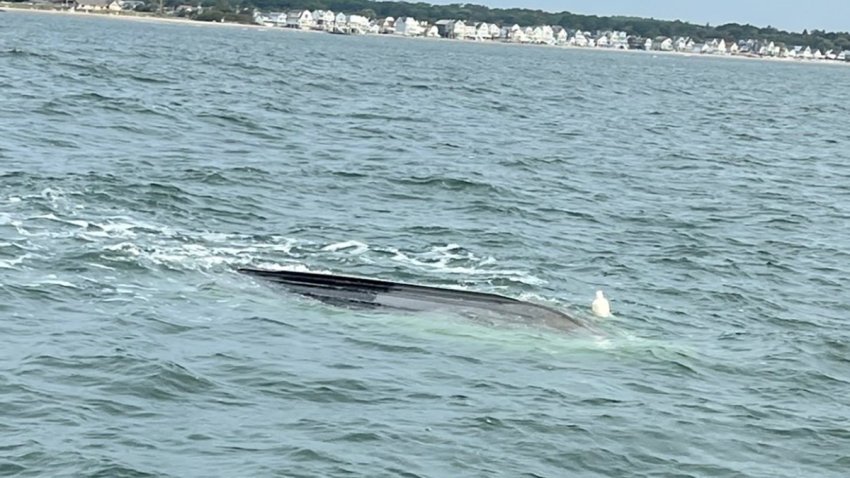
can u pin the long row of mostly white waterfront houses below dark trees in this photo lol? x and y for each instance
(325, 20)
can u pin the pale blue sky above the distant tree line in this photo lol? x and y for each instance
(830, 15)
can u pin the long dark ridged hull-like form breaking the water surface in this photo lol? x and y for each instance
(359, 292)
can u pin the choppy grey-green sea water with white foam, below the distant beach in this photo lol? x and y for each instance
(141, 164)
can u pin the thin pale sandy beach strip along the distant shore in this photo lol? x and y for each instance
(12, 7)
